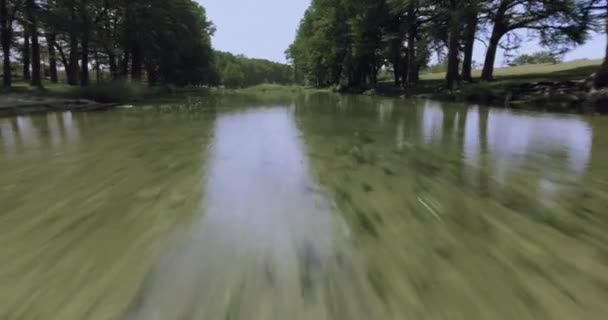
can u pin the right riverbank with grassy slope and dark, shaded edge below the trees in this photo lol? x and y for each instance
(562, 87)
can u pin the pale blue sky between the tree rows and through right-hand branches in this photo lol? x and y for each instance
(265, 28)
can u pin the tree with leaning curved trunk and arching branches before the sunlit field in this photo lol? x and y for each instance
(557, 22)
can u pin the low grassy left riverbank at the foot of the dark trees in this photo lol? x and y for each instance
(23, 99)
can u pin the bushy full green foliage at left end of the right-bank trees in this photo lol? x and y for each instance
(338, 41)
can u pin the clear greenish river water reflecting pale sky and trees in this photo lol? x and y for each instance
(310, 207)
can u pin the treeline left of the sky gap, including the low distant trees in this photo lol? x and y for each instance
(150, 41)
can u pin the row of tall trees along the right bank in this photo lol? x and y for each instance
(349, 41)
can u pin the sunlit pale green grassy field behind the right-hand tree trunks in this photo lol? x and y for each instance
(568, 70)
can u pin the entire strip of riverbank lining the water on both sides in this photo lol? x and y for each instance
(555, 88)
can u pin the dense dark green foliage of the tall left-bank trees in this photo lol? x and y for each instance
(166, 42)
